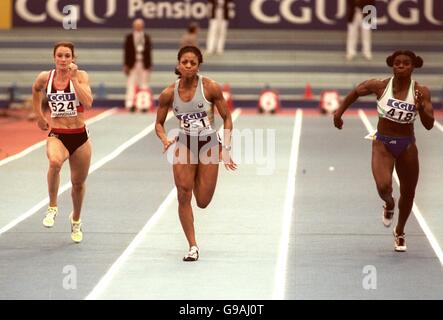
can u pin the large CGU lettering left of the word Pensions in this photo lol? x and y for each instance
(52, 10)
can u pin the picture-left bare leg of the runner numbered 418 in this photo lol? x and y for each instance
(382, 168)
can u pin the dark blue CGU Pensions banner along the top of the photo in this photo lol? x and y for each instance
(245, 14)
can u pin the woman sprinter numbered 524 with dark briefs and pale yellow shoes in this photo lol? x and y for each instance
(68, 94)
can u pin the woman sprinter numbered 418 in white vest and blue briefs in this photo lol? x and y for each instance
(399, 100)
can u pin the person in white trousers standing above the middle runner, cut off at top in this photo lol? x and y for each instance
(218, 26)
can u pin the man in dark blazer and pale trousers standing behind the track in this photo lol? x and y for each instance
(137, 62)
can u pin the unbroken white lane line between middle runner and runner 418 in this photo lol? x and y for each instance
(280, 272)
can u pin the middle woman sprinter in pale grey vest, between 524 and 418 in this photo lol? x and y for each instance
(198, 149)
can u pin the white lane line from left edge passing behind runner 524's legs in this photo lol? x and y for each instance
(94, 167)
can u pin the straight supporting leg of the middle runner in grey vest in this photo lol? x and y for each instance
(184, 175)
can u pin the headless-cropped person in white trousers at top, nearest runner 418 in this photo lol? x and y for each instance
(355, 23)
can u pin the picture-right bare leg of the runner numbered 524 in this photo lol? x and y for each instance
(79, 163)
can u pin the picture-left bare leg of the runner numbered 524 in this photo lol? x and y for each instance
(57, 155)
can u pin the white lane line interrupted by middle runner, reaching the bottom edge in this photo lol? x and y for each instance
(121, 260)
